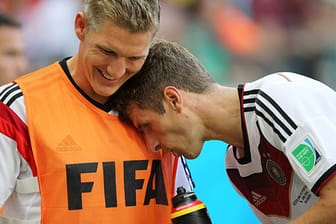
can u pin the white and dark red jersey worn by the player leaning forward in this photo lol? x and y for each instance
(288, 124)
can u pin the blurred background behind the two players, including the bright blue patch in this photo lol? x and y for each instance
(236, 40)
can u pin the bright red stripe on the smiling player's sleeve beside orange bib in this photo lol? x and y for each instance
(13, 127)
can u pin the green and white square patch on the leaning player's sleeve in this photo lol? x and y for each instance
(307, 154)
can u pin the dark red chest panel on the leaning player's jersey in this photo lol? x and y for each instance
(260, 189)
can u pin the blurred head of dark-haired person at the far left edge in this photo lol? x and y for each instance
(13, 58)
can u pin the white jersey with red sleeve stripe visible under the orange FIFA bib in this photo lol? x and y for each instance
(19, 191)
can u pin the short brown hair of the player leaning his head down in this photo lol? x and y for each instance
(167, 64)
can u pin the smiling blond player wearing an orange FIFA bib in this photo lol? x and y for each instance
(65, 157)
